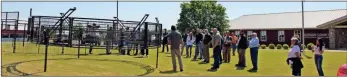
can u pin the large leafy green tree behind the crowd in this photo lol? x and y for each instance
(202, 14)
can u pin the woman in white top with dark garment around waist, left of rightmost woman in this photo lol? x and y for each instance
(294, 58)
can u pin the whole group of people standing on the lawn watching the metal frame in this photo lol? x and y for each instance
(223, 45)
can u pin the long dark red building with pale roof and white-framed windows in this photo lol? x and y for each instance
(279, 28)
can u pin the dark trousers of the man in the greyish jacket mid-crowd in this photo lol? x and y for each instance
(216, 56)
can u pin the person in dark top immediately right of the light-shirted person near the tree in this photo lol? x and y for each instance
(198, 38)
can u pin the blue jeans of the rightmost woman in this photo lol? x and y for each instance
(318, 59)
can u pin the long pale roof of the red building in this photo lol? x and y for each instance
(286, 20)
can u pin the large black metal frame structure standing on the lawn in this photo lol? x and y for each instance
(41, 29)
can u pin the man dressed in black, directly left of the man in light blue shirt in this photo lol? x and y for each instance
(242, 46)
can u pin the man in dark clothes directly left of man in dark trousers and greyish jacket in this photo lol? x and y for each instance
(207, 42)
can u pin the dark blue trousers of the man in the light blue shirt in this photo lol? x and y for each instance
(254, 57)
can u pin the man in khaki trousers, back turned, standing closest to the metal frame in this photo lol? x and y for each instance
(175, 40)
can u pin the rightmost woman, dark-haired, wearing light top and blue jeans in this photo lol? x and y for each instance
(318, 50)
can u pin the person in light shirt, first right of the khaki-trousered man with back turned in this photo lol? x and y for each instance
(190, 40)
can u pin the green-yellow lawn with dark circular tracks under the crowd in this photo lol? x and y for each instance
(27, 61)
